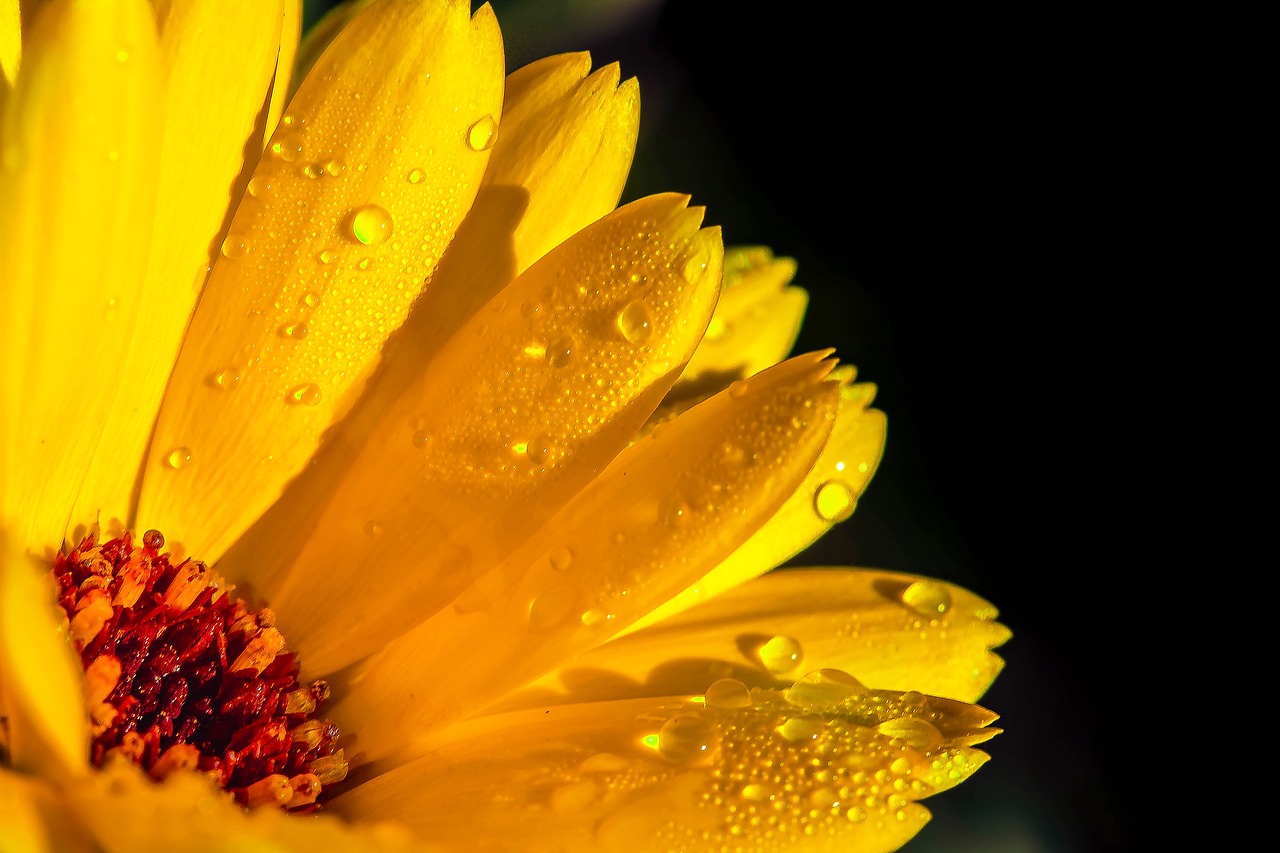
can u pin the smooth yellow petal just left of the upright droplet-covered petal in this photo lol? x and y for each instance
(200, 156)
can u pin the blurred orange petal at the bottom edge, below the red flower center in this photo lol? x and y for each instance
(126, 811)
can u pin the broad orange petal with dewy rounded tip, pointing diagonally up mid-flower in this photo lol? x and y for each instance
(524, 408)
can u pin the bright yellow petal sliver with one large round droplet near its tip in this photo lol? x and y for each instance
(828, 496)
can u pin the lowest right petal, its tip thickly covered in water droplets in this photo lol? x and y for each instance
(826, 767)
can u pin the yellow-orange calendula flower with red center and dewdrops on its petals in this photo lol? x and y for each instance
(508, 466)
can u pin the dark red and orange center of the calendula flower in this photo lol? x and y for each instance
(181, 677)
